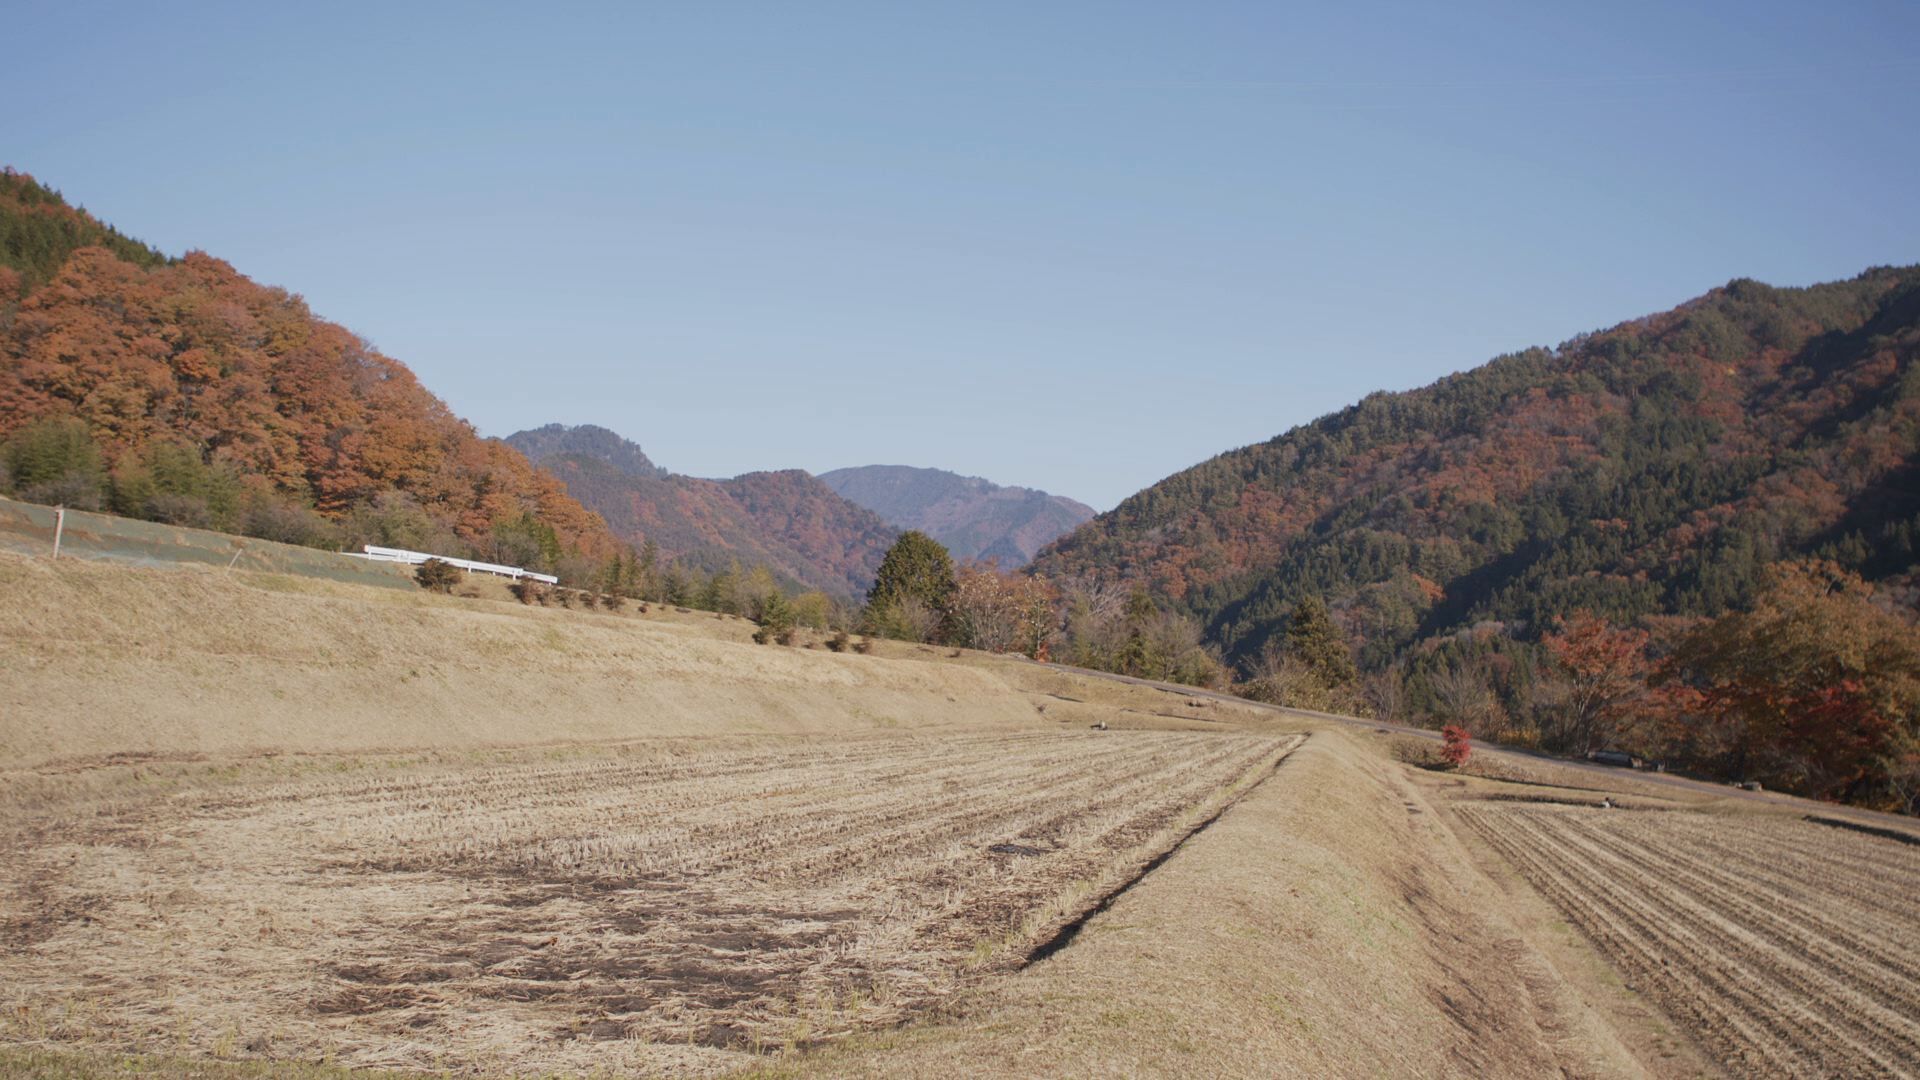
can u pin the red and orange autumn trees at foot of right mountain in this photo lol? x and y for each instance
(1813, 689)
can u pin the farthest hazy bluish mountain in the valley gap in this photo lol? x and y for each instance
(972, 518)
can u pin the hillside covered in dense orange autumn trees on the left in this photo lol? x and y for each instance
(181, 391)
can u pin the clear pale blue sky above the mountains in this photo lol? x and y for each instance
(1074, 247)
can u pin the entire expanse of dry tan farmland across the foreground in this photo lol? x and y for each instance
(256, 825)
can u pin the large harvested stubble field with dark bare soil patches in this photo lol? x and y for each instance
(661, 906)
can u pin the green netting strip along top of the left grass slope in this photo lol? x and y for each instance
(30, 531)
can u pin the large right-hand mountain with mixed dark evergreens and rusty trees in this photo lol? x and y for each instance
(1644, 472)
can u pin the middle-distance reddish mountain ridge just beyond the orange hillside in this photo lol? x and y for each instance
(786, 522)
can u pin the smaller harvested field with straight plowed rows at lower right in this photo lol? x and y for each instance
(1787, 948)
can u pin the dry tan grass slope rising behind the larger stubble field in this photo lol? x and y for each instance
(101, 660)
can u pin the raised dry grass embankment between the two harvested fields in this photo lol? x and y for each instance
(1318, 929)
